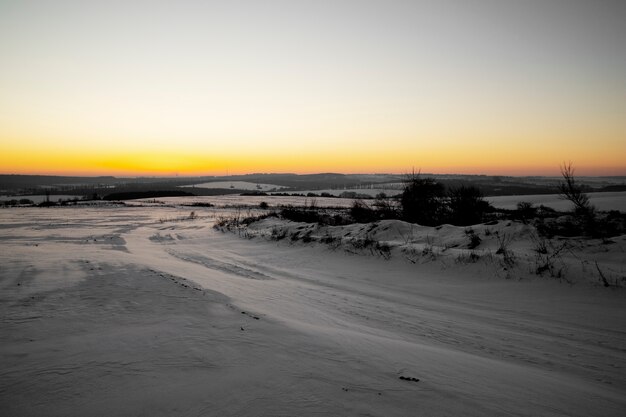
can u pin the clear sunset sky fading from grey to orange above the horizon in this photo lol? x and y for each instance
(187, 87)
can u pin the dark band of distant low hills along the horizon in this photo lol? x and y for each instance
(105, 185)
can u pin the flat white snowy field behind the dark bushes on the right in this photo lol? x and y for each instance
(602, 201)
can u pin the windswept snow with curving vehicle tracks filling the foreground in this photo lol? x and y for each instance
(147, 311)
